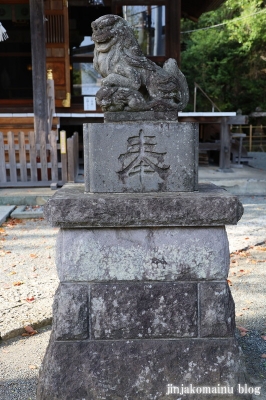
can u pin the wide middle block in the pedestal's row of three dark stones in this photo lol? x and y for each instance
(135, 311)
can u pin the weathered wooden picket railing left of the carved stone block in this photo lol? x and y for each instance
(23, 162)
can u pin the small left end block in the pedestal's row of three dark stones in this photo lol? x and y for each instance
(70, 311)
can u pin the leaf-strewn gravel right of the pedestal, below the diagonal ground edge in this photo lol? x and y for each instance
(247, 277)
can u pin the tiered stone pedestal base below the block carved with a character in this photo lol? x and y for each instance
(143, 310)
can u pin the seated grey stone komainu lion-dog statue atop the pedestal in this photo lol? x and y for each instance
(131, 82)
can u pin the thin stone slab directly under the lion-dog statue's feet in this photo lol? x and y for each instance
(126, 116)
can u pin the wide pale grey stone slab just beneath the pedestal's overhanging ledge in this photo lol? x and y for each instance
(161, 254)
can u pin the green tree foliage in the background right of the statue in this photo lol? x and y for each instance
(228, 61)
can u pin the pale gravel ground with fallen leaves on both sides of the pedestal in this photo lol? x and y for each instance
(30, 253)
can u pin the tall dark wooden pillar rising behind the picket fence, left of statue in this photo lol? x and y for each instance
(37, 23)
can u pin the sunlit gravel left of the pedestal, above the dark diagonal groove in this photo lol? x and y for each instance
(28, 276)
